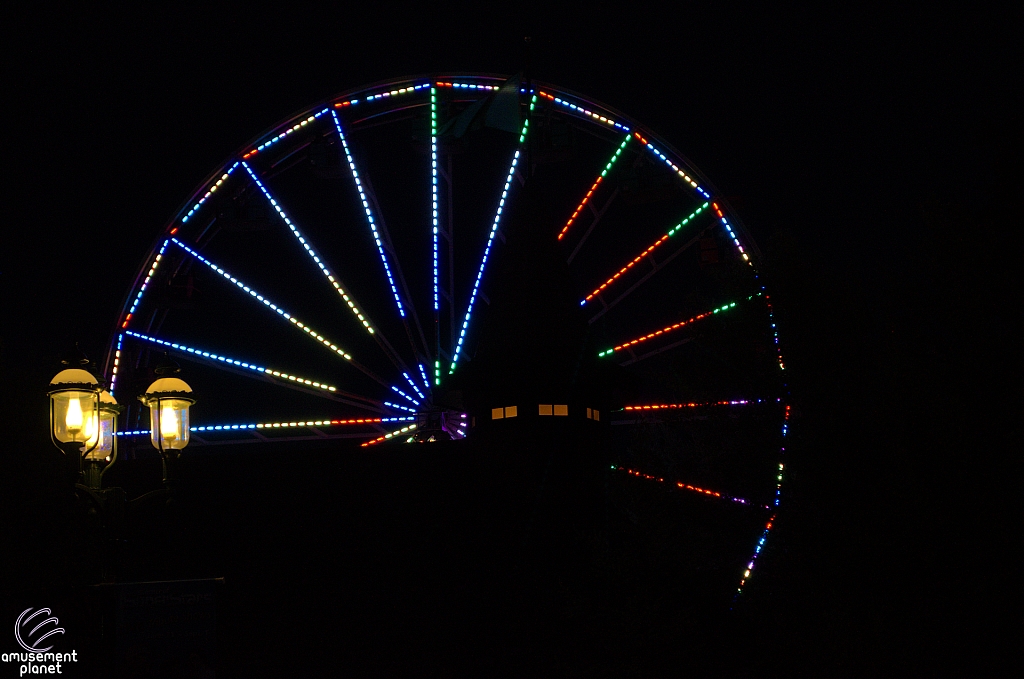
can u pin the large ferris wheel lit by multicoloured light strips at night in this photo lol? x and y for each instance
(343, 278)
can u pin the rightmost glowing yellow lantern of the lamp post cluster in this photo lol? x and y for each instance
(168, 400)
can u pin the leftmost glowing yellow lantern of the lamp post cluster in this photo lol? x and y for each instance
(75, 413)
